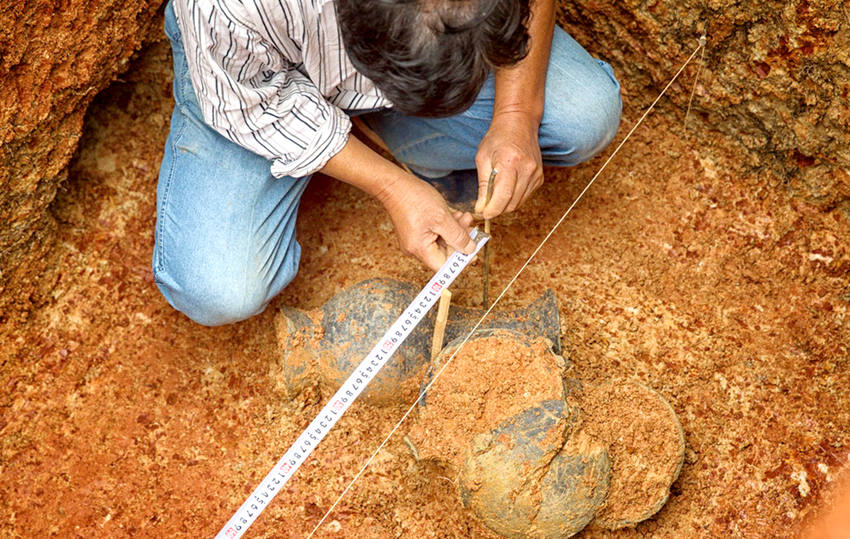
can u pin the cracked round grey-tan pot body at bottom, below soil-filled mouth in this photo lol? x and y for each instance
(524, 480)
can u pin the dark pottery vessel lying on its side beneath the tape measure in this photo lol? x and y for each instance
(326, 345)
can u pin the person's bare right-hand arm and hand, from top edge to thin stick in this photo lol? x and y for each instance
(511, 144)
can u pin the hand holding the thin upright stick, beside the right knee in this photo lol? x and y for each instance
(511, 146)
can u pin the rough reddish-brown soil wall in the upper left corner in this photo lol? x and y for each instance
(55, 56)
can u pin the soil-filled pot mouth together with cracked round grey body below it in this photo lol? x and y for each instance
(498, 417)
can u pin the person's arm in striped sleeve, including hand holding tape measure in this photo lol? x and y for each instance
(251, 94)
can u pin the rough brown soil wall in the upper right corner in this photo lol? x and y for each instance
(775, 78)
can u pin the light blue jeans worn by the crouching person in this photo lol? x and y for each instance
(225, 229)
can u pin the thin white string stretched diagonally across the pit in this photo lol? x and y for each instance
(501, 295)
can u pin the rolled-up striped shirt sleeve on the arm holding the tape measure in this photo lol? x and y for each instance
(254, 97)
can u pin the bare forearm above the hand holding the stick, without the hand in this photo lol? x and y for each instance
(521, 88)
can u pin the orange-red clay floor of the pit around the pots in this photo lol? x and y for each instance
(120, 417)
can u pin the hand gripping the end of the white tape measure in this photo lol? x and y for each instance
(425, 226)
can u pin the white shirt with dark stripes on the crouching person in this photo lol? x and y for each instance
(273, 77)
